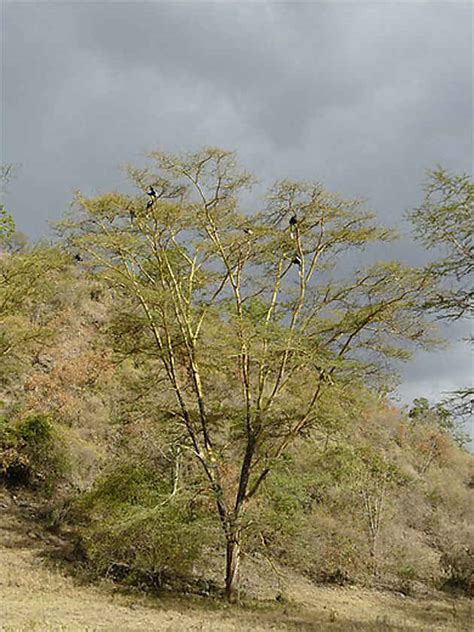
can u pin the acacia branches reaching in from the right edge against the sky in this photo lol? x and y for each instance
(445, 221)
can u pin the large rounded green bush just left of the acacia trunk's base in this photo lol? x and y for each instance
(131, 527)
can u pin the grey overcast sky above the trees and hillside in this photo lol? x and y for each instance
(363, 97)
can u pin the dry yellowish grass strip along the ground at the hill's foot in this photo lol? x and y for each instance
(37, 596)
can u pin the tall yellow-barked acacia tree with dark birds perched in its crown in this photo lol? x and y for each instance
(245, 315)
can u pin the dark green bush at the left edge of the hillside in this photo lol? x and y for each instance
(32, 453)
